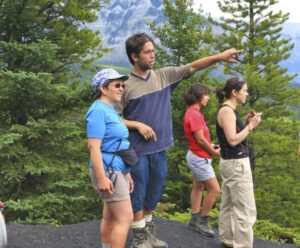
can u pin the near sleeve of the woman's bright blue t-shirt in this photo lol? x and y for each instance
(95, 122)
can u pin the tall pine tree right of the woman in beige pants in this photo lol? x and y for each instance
(253, 26)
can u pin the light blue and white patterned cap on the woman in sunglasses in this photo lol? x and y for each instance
(106, 74)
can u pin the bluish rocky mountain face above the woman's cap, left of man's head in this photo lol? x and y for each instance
(120, 19)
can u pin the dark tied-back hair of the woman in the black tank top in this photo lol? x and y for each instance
(231, 84)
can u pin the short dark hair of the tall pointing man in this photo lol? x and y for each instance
(135, 43)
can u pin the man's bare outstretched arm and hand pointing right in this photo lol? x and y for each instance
(230, 55)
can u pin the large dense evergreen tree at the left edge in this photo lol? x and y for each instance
(42, 150)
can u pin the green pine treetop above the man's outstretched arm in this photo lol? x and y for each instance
(183, 35)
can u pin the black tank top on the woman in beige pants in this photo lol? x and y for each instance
(228, 151)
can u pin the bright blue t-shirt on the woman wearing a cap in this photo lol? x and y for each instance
(103, 122)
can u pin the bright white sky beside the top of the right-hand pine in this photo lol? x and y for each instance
(287, 6)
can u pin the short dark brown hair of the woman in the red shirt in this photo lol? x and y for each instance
(195, 93)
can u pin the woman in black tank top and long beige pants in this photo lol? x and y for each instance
(238, 210)
